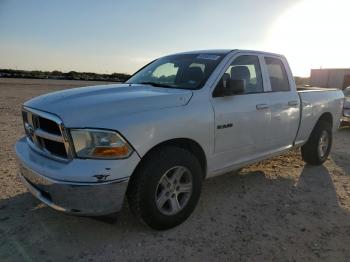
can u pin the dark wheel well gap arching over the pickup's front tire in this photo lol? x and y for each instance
(185, 143)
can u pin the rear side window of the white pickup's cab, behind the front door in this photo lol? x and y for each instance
(278, 75)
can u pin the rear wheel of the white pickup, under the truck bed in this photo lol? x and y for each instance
(311, 152)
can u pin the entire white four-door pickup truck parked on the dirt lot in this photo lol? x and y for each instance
(178, 120)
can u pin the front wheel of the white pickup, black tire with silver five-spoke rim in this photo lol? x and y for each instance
(152, 199)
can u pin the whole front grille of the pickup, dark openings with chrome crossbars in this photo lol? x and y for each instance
(45, 132)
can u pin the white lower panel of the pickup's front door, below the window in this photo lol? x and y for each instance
(234, 144)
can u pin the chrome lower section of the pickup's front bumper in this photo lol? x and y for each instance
(92, 199)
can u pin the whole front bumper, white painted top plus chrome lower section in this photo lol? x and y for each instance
(41, 176)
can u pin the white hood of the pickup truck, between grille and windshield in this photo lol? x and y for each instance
(90, 104)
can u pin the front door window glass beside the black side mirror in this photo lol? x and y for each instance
(247, 68)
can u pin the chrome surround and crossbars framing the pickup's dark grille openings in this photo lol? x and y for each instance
(38, 132)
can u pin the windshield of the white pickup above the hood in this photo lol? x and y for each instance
(185, 71)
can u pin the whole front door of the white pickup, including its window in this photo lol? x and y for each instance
(242, 120)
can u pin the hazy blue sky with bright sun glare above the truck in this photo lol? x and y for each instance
(121, 36)
